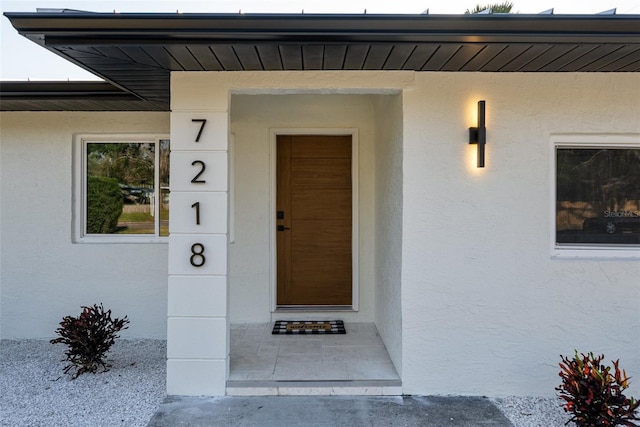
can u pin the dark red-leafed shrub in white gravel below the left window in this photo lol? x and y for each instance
(89, 337)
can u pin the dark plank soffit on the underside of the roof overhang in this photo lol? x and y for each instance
(139, 68)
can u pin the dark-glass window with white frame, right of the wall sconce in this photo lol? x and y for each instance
(597, 194)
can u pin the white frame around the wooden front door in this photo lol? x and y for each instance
(355, 235)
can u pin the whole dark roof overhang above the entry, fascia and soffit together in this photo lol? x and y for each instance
(137, 52)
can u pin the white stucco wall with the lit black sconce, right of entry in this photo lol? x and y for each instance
(486, 309)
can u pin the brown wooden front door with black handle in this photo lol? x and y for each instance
(314, 210)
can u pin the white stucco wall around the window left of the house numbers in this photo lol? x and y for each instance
(44, 276)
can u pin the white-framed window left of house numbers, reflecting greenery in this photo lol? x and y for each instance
(122, 188)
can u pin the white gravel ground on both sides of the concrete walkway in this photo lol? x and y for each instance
(34, 392)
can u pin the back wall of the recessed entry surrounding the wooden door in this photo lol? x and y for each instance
(252, 119)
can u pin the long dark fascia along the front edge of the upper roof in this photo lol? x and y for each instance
(52, 29)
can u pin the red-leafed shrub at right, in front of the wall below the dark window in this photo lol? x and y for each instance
(594, 395)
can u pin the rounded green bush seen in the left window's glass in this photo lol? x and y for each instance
(104, 205)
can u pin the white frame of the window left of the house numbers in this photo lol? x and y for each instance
(79, 201)
